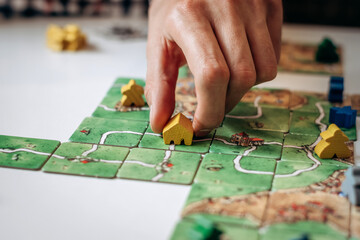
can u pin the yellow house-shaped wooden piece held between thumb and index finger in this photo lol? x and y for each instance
(179, 128)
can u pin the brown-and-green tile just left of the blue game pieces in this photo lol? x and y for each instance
(309, 102)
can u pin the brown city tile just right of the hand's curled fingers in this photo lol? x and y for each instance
(267, 97)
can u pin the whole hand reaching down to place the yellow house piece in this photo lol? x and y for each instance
(229, 46)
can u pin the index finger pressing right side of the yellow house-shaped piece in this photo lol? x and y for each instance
(208, 65)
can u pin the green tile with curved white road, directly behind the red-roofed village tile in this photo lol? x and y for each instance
(271, 119)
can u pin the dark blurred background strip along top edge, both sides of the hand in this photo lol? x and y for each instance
(323, 12)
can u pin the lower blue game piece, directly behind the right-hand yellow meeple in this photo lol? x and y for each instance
(343, 117)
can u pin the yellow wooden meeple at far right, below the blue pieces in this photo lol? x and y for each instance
(333, 143)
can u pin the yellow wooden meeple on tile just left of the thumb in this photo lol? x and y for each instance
(132, 94)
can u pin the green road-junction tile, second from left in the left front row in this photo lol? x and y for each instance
(86, 160)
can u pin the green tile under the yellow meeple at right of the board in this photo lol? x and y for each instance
(292, 151)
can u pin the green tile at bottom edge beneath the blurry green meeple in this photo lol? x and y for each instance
(229, 232)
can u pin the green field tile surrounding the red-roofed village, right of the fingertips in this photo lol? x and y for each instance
(222, 144)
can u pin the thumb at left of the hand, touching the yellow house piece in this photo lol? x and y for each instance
(162, 70)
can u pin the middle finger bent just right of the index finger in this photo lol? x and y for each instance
(231, 35)
